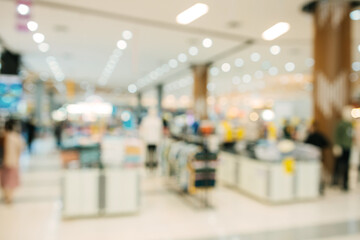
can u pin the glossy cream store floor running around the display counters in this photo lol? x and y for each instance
(164, 214)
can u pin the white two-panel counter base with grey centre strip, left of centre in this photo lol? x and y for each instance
(95, 192)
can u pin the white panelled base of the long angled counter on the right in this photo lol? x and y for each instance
(269, 181)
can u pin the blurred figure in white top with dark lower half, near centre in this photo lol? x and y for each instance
(151, 131)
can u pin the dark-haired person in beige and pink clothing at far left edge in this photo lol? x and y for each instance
(13, 147)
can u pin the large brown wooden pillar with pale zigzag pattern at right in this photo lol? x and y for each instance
(332, 55)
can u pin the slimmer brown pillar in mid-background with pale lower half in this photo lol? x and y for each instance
(200, 73)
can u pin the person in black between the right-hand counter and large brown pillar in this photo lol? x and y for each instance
(319, 140)
